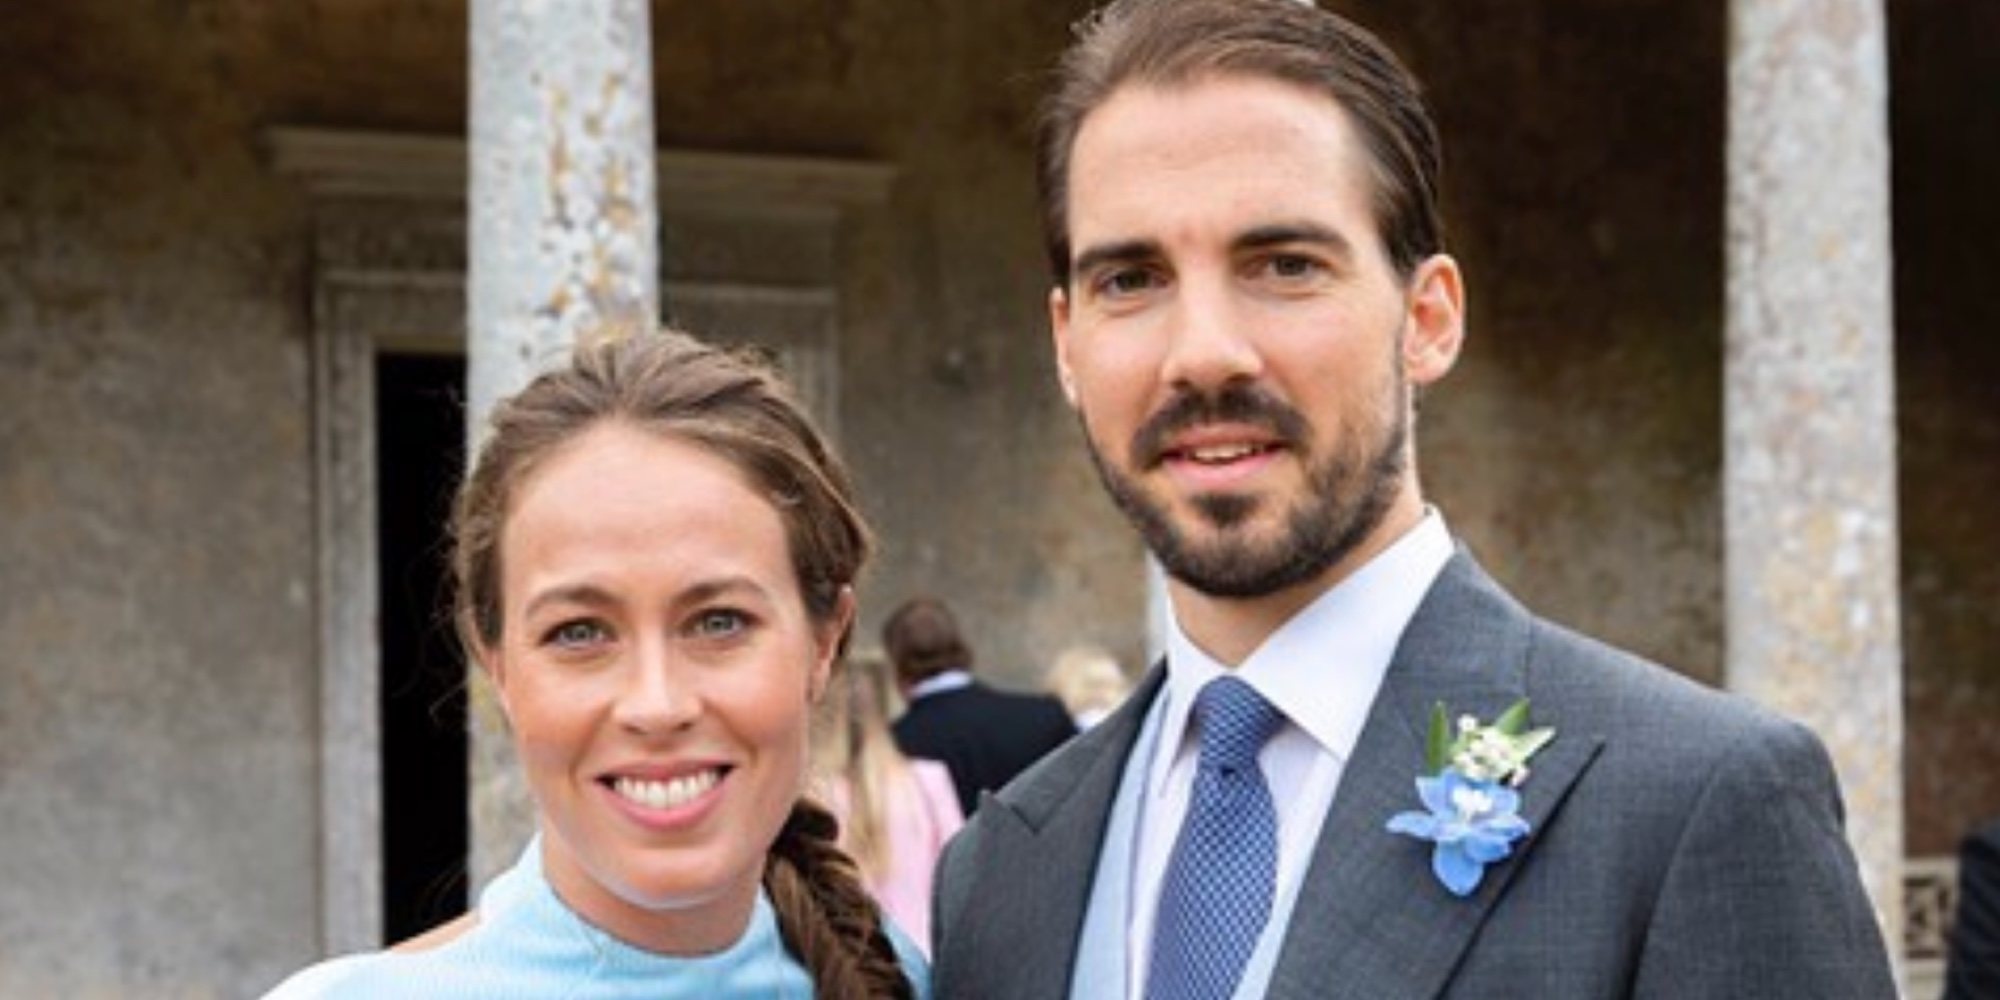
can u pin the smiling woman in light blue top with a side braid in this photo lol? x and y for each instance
(655, 563)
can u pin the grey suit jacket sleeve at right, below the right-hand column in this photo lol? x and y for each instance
(1761, 895)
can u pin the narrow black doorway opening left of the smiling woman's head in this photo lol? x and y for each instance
(421, 433)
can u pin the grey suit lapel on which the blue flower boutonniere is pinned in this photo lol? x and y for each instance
(1371, 917)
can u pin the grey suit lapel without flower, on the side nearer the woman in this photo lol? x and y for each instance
(1041, 847)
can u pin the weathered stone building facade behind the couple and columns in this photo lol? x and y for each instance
(217, 215)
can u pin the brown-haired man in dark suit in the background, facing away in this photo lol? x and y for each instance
(985, 737)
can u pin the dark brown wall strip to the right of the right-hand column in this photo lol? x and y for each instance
(1945, 161)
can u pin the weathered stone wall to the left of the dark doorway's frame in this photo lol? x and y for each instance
(157, 681)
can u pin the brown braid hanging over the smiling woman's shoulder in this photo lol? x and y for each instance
(827, 917)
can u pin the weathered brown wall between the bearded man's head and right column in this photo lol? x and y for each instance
(1579, 447)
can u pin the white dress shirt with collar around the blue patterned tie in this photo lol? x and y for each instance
(1323, 671)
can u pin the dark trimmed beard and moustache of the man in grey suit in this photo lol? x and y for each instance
(1345, 497)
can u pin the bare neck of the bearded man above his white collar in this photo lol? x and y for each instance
(1233, 629)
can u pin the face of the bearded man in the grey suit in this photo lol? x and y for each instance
(1235, 339)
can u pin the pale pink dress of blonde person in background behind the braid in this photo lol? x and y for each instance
(923, 815)
